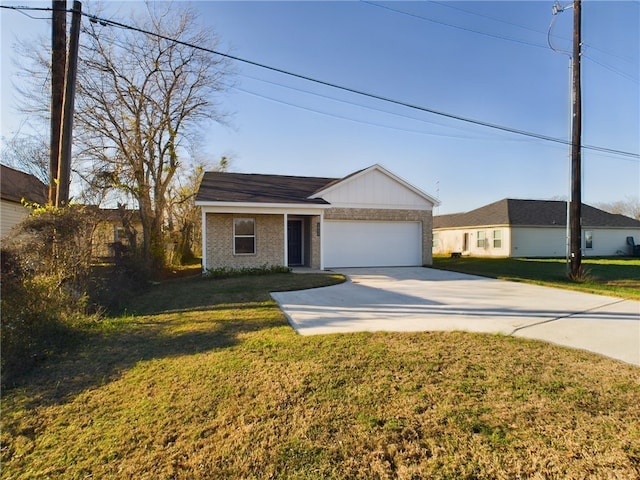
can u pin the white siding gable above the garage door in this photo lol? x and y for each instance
(376, 188)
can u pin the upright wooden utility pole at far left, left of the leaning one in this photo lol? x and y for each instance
(58, 66)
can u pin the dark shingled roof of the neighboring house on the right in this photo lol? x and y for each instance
(538, 213)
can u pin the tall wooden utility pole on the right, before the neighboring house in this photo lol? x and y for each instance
(575, 209)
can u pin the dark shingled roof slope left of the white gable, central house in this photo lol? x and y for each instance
(255, 188)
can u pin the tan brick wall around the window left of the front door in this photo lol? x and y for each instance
(269, 241)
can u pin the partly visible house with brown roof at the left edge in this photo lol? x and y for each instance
(14, 187)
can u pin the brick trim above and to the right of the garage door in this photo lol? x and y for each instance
(390, 215)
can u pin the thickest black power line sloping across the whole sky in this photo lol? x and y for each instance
(516, 131)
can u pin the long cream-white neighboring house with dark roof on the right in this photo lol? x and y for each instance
(531, 228)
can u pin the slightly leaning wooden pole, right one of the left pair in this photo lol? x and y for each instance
(64, 166)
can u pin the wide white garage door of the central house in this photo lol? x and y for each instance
(372, 244)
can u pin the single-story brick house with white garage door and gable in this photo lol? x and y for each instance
(369, 218)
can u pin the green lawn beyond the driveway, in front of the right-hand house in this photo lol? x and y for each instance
(607, 276)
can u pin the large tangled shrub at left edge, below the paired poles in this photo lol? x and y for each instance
(46, 264)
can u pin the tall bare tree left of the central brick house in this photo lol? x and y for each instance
(139, 98)
